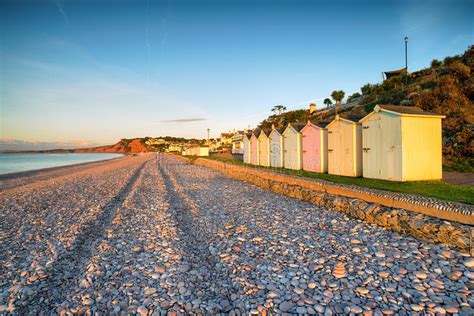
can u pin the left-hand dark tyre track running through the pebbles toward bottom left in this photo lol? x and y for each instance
(64, 271)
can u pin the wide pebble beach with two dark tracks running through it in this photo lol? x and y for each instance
(156, 235)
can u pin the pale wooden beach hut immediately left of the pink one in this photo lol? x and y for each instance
(292, 153)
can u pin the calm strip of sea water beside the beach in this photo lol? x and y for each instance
(23, 162)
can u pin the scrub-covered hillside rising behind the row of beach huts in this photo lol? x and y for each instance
(446, 87)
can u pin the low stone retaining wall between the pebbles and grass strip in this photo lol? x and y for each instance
(359, 205)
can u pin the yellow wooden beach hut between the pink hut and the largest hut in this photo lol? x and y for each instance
(345, 146)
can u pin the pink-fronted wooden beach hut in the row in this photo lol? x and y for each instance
(314, 139)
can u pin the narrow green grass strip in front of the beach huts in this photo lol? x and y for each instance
(436, 189)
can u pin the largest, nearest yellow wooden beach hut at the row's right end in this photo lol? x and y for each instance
(402, 143)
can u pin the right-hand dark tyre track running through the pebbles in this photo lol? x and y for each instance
(217, 295)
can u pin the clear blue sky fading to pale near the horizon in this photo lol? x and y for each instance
(80, 73)
